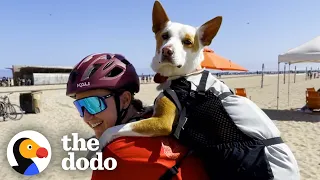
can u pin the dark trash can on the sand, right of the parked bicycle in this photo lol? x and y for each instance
(30, 102)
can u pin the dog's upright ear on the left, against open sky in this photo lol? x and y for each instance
(159, 17)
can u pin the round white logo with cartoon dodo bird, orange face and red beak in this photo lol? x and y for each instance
(29, 152)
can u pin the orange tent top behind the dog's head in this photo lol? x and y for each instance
(214, 61)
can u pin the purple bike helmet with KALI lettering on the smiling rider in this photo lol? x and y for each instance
(103, 71)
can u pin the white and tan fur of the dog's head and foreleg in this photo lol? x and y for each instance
(186, 44)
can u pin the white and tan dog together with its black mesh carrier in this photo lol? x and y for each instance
(199, 119)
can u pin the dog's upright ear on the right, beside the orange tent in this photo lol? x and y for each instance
(209, 30)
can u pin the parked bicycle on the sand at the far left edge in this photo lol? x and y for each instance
(9, 110)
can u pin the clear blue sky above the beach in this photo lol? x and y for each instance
(61, 32)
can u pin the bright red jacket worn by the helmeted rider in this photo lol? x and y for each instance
(147, 158)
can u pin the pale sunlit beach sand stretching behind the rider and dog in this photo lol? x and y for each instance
(58, 117)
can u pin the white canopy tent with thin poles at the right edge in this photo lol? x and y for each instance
(307, 52)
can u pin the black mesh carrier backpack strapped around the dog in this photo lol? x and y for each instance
(207, 127)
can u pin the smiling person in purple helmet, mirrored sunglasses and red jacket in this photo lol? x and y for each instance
(103, 86)
